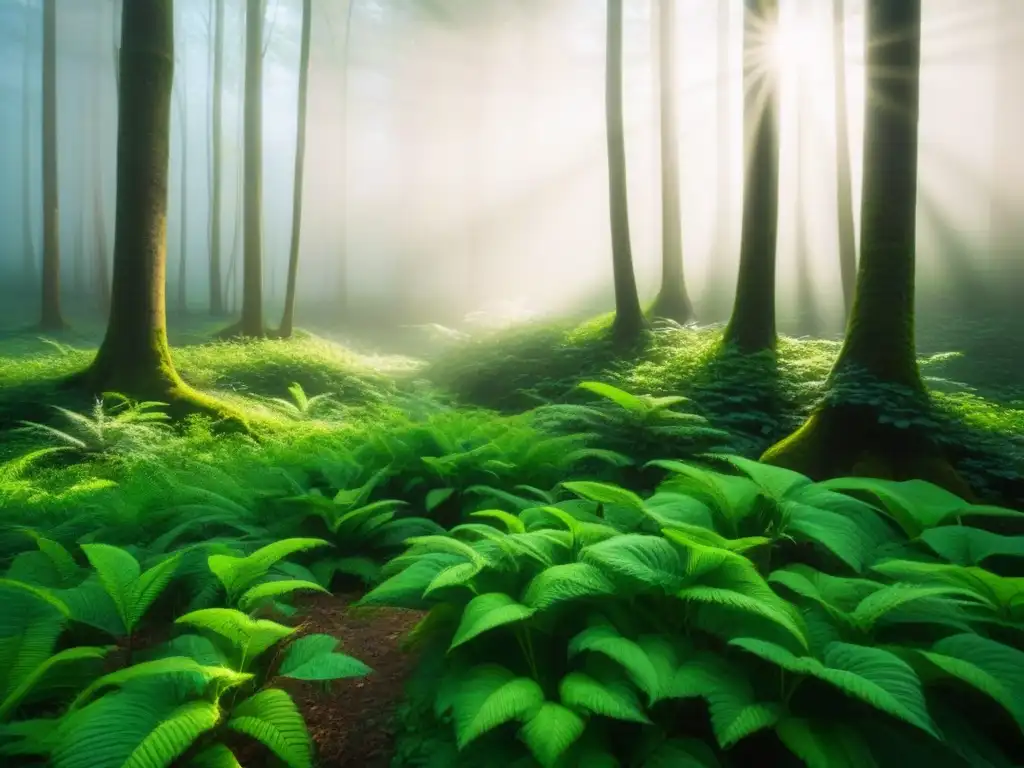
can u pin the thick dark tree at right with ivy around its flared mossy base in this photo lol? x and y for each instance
(858, 437)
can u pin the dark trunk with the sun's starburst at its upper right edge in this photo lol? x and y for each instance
(752, 328)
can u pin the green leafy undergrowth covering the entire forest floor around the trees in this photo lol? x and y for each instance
(529, 552)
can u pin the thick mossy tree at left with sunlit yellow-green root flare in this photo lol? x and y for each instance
(135, 358)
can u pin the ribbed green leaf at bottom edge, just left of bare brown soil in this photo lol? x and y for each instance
(272, 718)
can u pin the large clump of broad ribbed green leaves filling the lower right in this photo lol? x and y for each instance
(738, 616)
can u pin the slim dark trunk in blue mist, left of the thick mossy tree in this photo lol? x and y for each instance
(53, 320)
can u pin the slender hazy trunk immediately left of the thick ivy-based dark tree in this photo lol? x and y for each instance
(844, 185)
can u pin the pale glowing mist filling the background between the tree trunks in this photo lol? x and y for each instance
(477, 173)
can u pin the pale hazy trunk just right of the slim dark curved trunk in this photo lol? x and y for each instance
(673, 303)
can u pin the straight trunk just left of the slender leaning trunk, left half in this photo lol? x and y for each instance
(251, 324)
